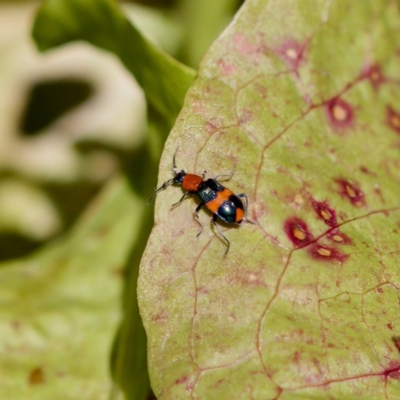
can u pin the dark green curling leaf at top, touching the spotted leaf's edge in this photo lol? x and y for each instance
(101, 23)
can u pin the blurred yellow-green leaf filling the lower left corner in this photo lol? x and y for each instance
(60, 307)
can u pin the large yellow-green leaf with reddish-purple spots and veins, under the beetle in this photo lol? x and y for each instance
(303, 97)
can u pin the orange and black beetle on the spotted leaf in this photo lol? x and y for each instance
(219, 200)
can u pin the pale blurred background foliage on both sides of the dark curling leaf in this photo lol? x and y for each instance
(73, 118)
